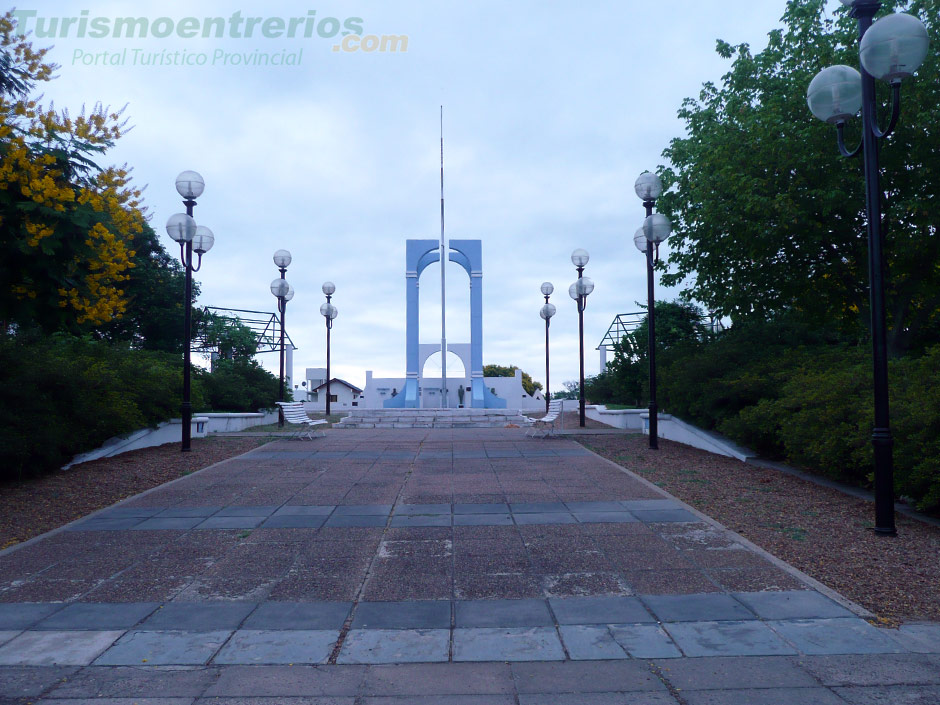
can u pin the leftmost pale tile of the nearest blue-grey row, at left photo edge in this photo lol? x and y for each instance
(56, 648)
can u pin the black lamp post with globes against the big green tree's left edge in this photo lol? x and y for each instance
(655, 229)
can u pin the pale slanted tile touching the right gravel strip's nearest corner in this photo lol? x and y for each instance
(835, 636)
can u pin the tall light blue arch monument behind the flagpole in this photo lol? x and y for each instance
(468, 254)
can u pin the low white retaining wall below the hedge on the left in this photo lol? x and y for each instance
(172, 432)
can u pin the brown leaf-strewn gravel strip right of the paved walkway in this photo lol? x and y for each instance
(821, 531)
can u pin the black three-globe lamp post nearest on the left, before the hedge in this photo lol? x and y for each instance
(182, 228)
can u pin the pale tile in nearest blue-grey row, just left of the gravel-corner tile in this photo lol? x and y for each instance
(727, 639)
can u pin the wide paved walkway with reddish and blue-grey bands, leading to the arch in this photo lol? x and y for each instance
(430, 566)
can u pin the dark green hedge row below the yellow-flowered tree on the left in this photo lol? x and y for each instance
(64, 395)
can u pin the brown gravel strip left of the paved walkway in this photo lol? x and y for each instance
(32, 507)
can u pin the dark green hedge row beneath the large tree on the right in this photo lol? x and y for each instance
(812, 406)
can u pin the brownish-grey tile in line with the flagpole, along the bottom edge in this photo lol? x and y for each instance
(437, 679)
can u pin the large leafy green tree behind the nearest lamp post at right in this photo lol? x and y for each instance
(768, 217)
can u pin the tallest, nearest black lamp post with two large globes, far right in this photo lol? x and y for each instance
(890, 49)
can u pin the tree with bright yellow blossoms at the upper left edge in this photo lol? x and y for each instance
(67, 227)
